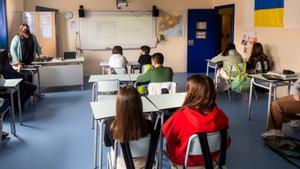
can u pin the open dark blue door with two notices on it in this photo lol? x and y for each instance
(203, 38)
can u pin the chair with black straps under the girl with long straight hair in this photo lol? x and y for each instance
(137, 148)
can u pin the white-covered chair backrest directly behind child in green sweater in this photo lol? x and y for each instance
(157, 88)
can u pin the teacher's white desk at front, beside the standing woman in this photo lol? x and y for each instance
(57, 72)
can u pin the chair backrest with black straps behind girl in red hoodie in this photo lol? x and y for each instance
(206, 143)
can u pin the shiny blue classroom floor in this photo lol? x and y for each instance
(57, 135)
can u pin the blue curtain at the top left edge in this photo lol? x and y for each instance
(3, 26)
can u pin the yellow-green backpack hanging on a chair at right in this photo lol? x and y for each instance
(241, 81)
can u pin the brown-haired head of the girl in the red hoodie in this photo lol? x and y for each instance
(201, 93)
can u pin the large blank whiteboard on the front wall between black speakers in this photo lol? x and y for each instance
(102, 30)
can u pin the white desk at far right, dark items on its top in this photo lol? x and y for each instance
(270, 85)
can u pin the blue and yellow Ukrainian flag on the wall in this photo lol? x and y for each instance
(269, 13)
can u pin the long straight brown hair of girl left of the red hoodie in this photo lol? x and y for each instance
(130, 119)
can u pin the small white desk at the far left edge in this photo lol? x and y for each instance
(11, 86)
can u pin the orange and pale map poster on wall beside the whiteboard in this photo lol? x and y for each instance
(171, 25)
